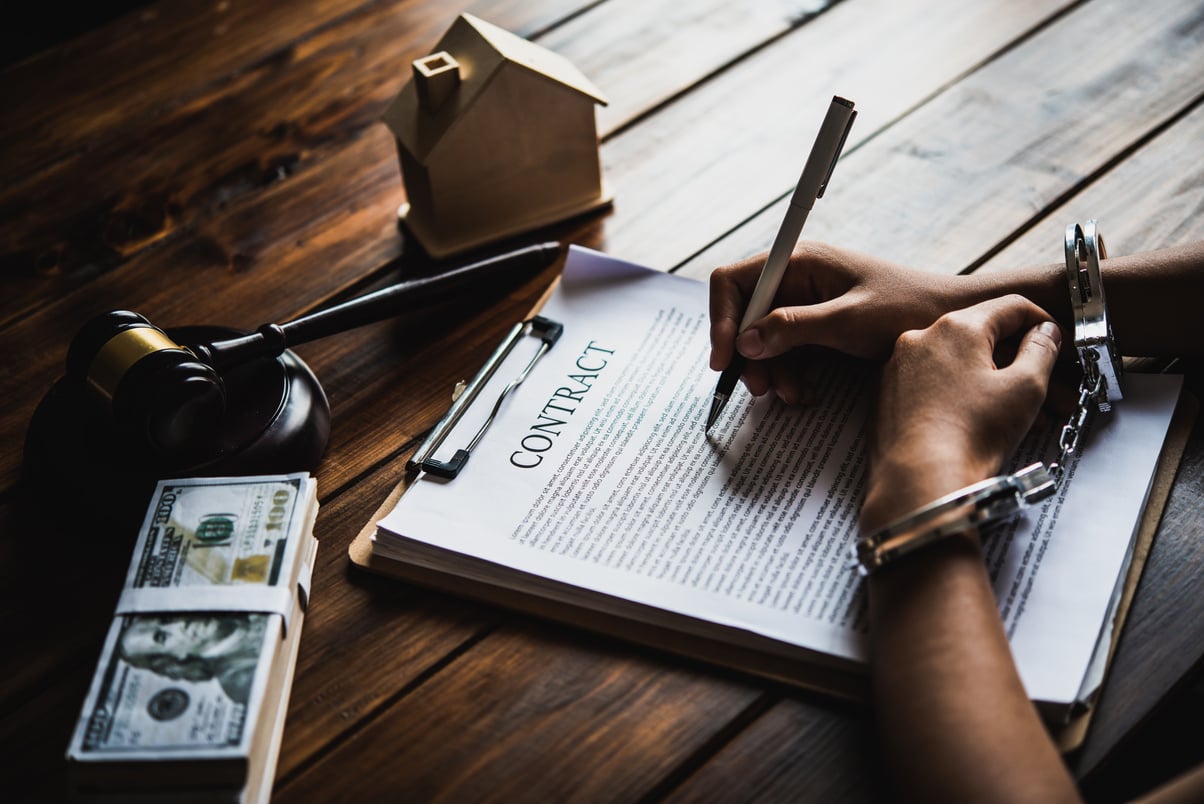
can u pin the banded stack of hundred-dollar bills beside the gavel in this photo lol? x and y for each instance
(190, 696)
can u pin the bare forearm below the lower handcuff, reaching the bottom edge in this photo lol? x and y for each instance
(955, 720)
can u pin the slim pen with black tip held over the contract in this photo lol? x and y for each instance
(812, 185)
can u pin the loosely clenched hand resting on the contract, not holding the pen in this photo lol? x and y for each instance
(951, 410)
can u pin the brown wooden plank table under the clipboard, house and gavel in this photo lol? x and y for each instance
(225, 163)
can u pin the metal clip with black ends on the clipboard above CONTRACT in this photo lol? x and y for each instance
(548, 333)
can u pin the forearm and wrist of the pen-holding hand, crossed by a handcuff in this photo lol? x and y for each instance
(1154, 299)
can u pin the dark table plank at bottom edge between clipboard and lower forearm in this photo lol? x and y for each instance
(763, 762)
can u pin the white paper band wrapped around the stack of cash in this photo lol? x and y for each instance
(246, 600)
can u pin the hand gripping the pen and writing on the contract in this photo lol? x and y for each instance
(830, 298)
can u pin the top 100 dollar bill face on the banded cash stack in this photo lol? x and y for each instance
(180, 688)
